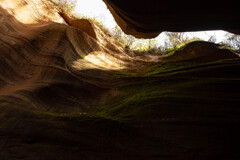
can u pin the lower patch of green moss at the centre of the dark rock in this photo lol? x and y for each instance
(137, 97)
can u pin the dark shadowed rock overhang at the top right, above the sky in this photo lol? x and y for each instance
(146, 19)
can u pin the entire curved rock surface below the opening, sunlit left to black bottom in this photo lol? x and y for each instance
(65, 94)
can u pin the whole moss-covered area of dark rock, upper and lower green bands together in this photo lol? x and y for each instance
(156, 86)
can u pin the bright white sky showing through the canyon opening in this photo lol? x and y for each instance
(98, 9)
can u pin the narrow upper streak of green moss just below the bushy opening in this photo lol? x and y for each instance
(172, 68)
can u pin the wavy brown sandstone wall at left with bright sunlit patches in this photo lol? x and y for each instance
(45, 62)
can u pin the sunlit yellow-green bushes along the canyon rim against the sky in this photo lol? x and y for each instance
(173, 40)
